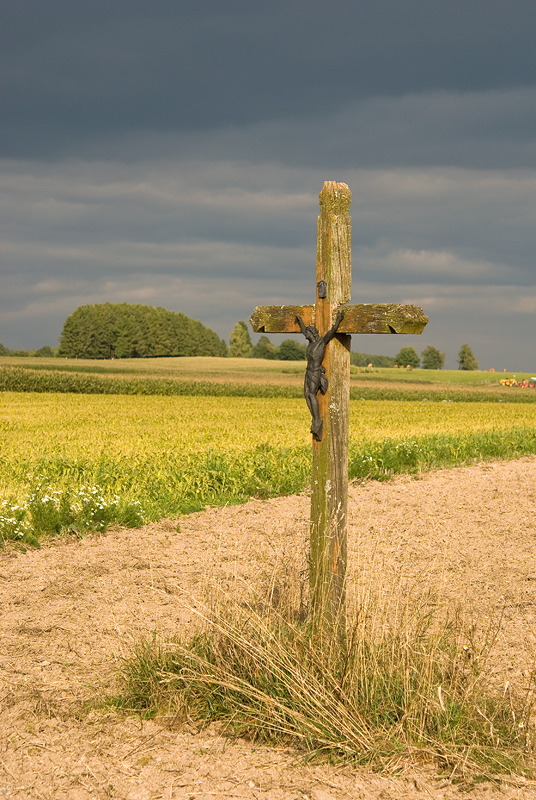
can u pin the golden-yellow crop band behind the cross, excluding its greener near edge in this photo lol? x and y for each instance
(37, 425)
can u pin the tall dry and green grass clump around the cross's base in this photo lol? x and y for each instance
(408, 684)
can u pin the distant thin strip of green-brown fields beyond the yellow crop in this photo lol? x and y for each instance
(242, 377)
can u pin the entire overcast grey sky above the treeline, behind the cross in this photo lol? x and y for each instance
(171, 152)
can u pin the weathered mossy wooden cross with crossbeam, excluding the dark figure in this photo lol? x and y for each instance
(329, 486)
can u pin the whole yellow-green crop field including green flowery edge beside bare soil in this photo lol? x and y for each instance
(146, 457)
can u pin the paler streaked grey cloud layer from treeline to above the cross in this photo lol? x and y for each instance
(457, 242)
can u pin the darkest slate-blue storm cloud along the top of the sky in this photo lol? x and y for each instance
(76, 72)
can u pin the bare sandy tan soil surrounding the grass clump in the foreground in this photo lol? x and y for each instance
(71, 610)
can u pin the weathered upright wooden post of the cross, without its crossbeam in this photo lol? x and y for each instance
(329, 475)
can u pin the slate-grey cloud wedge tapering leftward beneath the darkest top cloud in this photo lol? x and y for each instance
(483, 130)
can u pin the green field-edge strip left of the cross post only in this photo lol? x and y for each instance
(164, 484)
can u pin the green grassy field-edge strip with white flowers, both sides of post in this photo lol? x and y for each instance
(171, 482)
